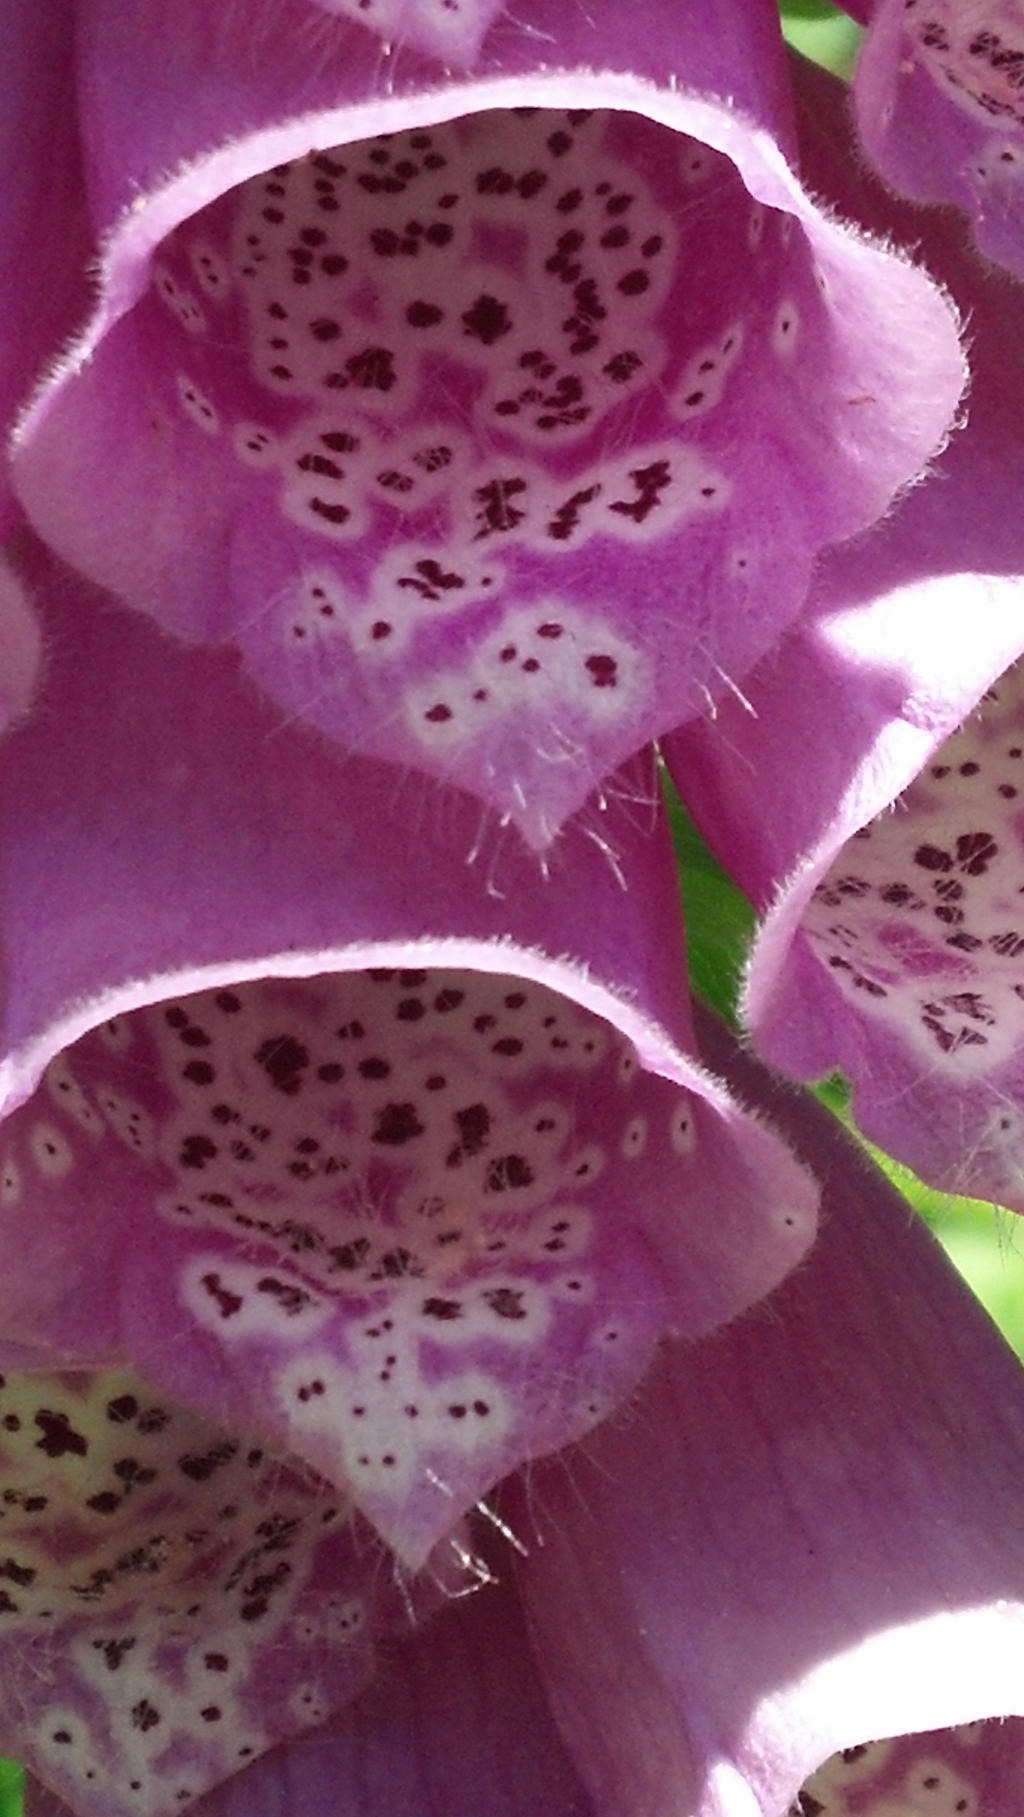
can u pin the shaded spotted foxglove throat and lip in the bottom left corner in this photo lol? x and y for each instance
(190, 1600)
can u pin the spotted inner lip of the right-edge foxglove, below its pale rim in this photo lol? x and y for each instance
(918, 926)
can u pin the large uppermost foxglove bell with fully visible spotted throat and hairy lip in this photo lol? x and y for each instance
(495, 417)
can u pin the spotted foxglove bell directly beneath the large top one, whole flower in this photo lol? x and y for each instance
(426, 1175)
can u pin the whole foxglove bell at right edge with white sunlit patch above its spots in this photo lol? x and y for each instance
(891, 940)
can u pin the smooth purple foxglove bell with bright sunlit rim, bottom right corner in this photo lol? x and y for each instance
(827, 1551)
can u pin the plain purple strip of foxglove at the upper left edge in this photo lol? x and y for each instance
(44, 228)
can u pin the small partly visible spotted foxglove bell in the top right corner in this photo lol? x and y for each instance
(940, 97)
